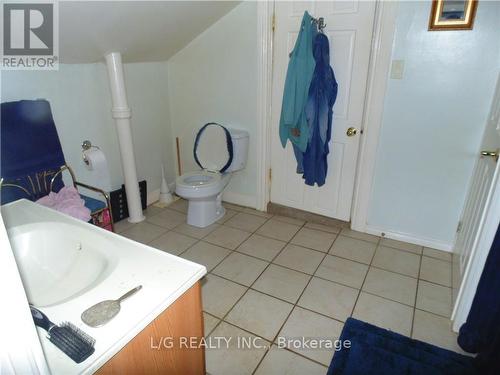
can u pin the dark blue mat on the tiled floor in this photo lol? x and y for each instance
(378, 351)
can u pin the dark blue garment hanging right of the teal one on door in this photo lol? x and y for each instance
(322, 95)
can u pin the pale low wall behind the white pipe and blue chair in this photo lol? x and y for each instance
(80, 99)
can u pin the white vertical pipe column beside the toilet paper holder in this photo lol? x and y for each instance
(122, 114)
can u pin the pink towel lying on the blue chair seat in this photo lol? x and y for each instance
(68, 201)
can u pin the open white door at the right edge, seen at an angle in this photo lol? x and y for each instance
(473, 224)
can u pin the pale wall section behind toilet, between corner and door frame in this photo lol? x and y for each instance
(214, 78)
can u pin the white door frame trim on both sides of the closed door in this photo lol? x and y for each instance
(378, 73)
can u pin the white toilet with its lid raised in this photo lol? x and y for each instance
(219, 152)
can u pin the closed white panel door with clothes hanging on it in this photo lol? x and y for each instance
(349, 29)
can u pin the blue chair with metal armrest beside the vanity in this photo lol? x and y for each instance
(32, 161)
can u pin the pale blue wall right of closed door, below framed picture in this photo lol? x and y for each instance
(433, 123)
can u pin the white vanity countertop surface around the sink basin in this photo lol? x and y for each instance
(163, 276)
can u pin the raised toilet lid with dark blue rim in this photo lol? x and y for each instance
(213, 147)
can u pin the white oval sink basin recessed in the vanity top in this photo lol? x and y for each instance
(56, 263)
